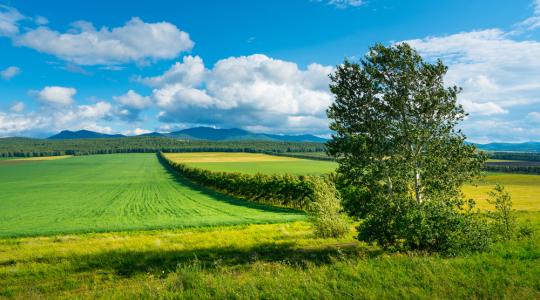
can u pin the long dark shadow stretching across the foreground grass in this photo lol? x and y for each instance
(131, 263)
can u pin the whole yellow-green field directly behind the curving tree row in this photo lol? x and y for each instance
(253, 163)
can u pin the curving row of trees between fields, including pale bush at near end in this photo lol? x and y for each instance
(316, 195)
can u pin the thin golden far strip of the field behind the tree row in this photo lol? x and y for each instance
(204, 157)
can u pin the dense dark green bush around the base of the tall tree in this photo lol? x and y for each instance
(434, 226)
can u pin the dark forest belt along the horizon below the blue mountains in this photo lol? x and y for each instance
(27, 147)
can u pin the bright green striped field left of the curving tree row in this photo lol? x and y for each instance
(113, 192)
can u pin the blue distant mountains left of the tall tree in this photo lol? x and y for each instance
(196, 133)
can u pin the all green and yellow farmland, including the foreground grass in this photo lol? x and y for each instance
(123, 226)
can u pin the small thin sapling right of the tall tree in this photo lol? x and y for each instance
(503, 216)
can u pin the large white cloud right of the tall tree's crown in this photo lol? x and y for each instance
(496, 72)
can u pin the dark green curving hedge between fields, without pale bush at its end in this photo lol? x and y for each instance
(282, 190)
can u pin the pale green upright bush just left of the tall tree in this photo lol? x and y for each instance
(326, 212)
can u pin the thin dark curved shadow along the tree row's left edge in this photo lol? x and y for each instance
(174, 175)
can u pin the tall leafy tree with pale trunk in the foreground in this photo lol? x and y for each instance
(401, 159)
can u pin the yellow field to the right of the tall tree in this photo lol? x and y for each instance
(524, 189)
